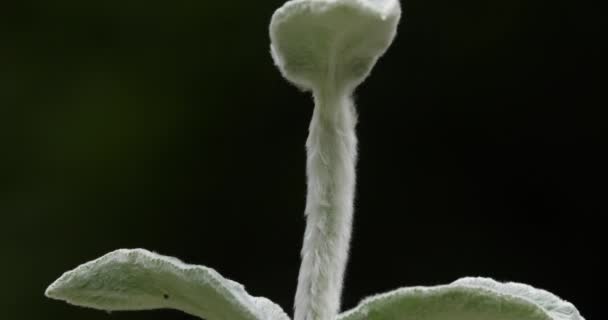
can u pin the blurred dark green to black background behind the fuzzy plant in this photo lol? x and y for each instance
(165, 125)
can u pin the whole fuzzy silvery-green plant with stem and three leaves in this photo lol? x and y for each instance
(327, 47)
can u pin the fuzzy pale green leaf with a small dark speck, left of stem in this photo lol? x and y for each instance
(138, 279)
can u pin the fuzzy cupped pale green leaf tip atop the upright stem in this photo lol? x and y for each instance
(316, 43)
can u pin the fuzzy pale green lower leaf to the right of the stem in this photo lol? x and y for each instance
(465, 299)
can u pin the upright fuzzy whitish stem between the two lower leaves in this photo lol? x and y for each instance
(331, 157)
